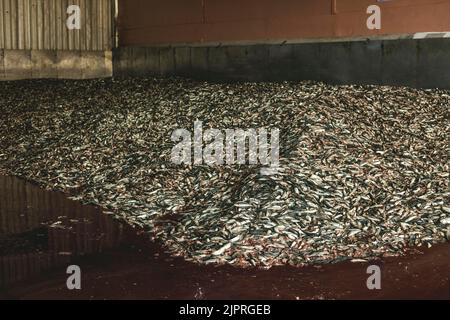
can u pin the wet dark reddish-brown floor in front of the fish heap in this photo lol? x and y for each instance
(42, 232)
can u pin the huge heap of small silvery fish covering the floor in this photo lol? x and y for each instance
(364, 170)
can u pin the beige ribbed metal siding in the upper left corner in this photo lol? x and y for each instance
(41, 25)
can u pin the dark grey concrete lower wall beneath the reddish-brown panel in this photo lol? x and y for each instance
(402, 62)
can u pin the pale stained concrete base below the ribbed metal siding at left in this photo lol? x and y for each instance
(28, 64)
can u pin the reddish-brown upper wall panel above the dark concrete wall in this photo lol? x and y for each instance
(147, 22)
